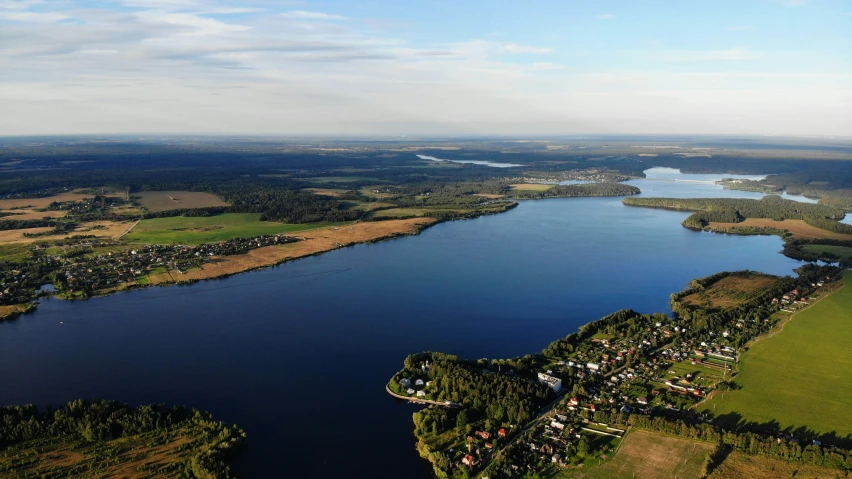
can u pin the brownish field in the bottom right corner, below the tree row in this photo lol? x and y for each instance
(738, 465)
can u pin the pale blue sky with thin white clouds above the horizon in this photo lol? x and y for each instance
(426, 67)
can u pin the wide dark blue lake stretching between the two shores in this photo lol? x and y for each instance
(298, 355)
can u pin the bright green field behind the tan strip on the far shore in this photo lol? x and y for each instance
(209, 229)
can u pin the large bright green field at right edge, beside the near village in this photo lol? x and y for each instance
(799, 377)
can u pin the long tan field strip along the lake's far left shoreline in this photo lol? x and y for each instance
(313, 242)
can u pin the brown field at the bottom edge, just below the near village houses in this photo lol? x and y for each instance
(648, 455)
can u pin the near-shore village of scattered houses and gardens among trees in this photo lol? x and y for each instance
(632, 363)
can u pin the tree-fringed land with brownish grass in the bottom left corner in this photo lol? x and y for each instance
(111, 439)
